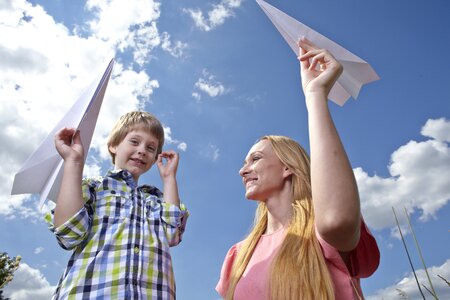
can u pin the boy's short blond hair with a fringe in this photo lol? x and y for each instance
(130, 121)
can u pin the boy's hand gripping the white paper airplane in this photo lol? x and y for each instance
(69, 146)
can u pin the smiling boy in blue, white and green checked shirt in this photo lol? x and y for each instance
(120, 232)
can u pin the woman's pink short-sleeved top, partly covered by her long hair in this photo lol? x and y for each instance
(253, 284)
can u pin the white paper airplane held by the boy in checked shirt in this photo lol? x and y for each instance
(42, 171)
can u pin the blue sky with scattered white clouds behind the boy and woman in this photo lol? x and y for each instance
(219, 76)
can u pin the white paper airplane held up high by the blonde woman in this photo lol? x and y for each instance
(357, 72)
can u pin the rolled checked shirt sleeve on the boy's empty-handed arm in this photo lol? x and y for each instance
(175, 218)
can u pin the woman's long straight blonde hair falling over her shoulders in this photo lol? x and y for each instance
(298, 270)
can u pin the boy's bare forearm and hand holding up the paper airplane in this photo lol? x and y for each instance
(70, 199)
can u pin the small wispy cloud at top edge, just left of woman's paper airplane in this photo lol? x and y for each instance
(216, 16)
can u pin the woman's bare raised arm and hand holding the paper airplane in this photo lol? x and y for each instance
(334, 189)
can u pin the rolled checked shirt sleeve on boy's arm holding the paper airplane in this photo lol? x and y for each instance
(74, 231)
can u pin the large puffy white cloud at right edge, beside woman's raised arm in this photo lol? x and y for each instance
(419, 180)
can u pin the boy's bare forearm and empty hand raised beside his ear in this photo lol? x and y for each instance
(168, 173)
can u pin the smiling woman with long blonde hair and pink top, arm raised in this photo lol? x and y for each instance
(309, 240)
